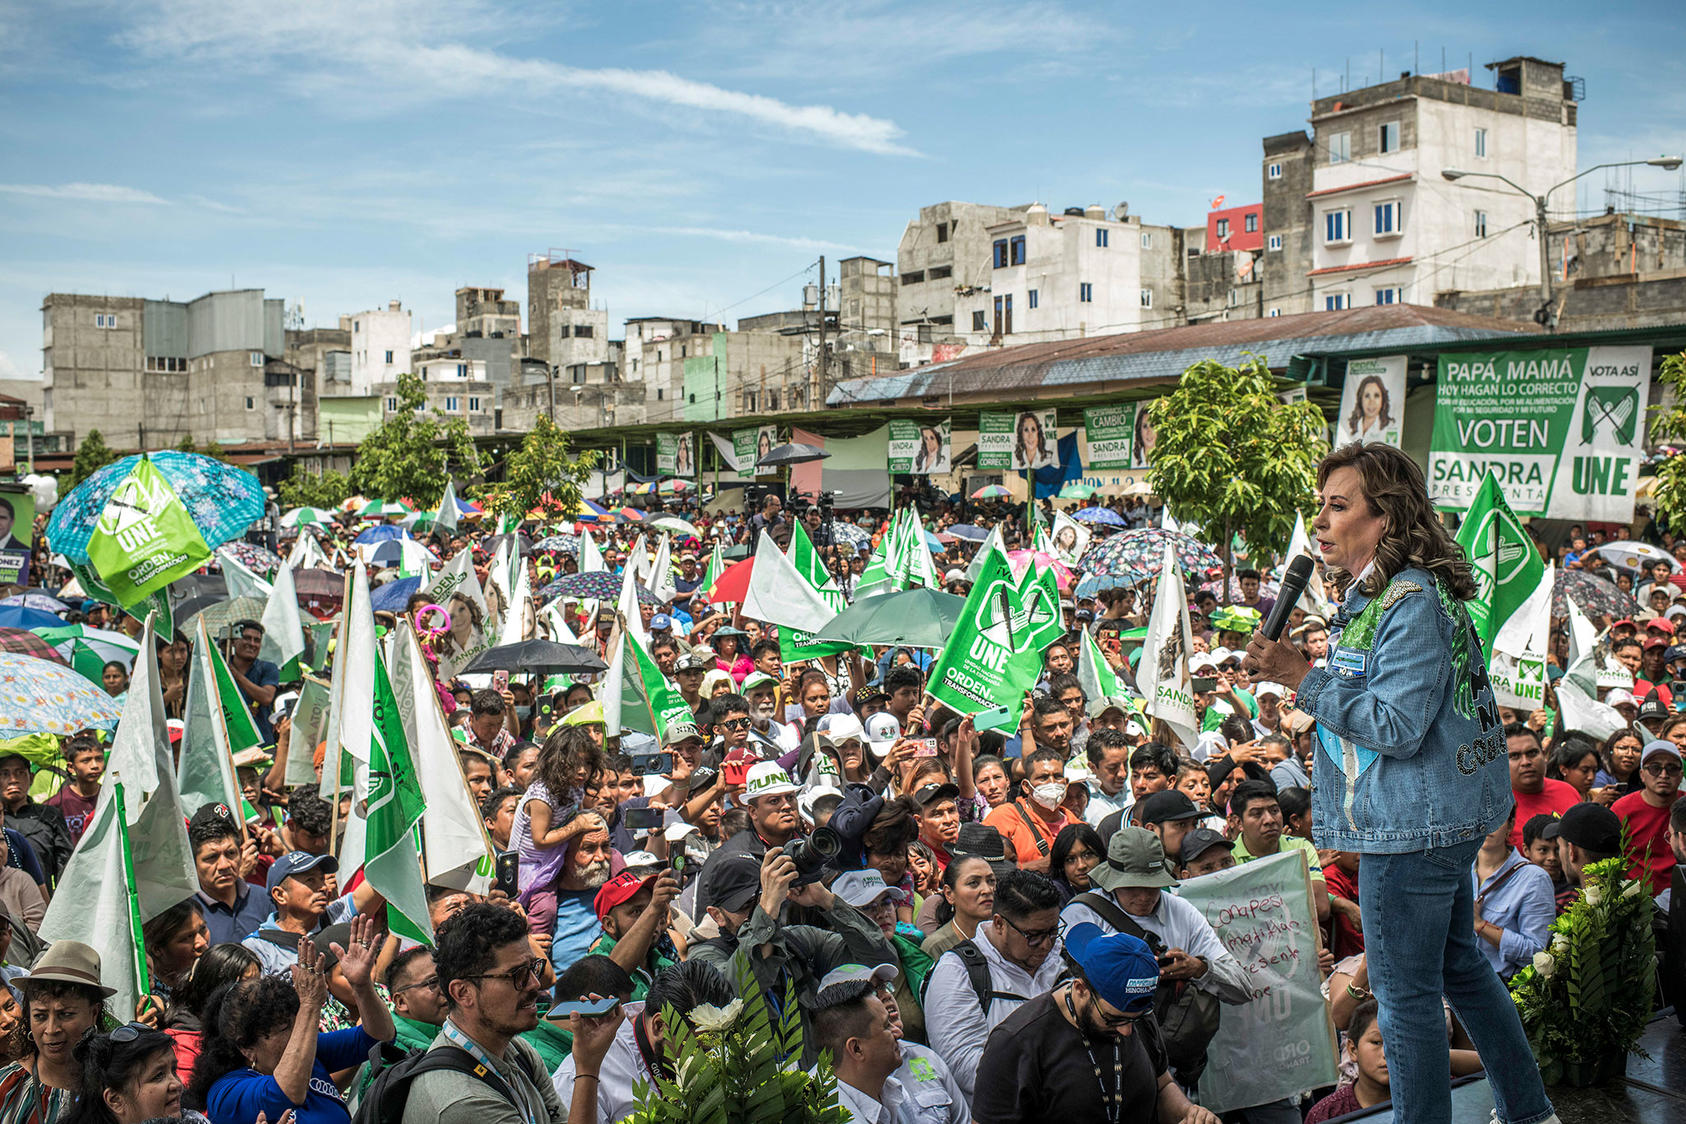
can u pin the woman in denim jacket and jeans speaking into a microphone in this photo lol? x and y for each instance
(1410, 774)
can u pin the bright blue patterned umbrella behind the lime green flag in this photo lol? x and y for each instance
(222, 500)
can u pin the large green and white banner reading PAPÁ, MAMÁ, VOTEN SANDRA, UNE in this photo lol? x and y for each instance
(1560, 429)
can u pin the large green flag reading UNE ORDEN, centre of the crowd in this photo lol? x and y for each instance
(996, 651)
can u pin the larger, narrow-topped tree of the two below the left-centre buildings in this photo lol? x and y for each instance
(416, 451)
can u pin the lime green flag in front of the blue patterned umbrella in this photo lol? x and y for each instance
(144, 538)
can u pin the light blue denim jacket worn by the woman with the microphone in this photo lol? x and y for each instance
(1410, 749)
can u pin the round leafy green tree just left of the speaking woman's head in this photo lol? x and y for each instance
(1233, 458)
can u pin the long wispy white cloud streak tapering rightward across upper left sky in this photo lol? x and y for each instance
(333, 50)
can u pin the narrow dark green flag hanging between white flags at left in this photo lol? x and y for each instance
(392, 862)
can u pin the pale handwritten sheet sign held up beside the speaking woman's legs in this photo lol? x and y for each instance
(1281, 1044)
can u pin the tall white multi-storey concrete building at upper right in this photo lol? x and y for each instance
(1388, 228)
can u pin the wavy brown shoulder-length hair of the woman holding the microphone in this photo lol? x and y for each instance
(1414, 535)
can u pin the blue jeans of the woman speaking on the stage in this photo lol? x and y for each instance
(1420, 945)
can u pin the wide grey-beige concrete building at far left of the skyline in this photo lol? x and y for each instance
(149, 373)
